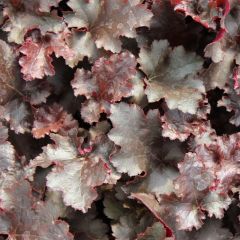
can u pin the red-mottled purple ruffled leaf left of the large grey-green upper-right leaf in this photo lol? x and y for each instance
(109, 81)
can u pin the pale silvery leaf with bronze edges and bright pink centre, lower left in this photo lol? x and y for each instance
(73, 168)
